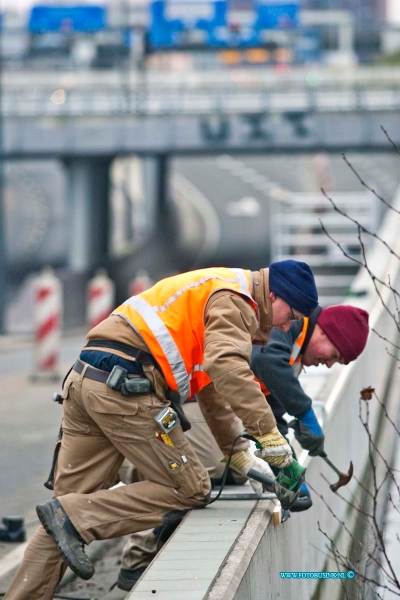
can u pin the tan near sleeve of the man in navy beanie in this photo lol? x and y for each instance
(231, 324)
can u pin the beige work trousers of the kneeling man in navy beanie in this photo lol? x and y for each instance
(100, 428)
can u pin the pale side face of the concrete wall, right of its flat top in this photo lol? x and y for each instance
(298, 545)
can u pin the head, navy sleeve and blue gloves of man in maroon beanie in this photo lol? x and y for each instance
(330, 335)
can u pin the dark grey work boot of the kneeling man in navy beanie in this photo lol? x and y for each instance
(70, 544)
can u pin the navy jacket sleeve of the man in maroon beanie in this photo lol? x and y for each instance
(271, 365)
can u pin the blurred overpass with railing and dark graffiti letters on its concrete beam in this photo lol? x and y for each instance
(95, 114)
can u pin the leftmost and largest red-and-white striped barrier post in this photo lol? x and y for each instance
(48, 312)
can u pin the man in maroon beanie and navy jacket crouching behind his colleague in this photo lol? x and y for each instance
(330, 335)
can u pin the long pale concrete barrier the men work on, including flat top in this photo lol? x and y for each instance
(252, 554)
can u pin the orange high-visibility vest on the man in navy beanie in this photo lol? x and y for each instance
(170, 319)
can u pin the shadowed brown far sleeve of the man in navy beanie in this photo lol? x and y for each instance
(222, 421)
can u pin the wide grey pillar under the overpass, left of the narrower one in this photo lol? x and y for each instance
(88, 212)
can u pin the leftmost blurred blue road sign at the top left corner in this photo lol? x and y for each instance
(66, 18)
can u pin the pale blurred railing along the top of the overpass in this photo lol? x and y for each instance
(200, 93)
